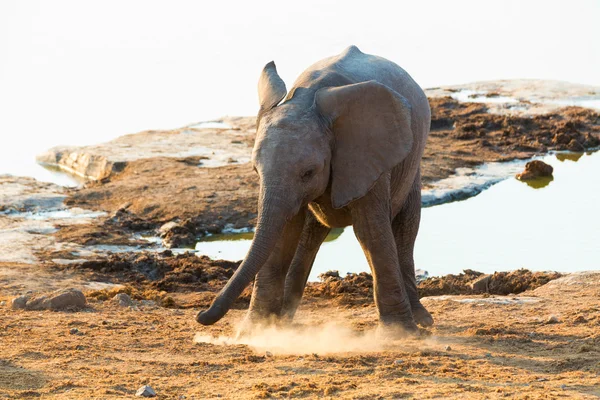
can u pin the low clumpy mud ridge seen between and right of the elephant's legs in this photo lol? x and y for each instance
(356, 289)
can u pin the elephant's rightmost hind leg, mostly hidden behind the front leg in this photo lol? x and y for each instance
(406, 228)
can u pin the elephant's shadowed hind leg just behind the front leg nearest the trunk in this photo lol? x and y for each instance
(313, 235)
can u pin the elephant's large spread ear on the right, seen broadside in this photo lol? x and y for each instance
(371, 124)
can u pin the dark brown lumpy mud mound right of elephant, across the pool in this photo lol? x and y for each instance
(466, 135)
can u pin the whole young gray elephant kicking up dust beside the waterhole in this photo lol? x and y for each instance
(343, 148)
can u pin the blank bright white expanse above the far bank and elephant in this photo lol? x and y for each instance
(75, 72)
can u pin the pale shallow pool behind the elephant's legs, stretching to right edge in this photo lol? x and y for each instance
(548, 225)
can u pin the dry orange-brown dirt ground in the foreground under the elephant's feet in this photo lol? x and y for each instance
(478, 348)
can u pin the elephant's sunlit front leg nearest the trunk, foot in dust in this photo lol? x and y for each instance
(268, 289)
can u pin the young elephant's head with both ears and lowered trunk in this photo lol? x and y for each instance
(344, 139)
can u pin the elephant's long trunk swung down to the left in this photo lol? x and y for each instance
(270, 224)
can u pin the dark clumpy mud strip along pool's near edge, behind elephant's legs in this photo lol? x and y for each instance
(187, 272)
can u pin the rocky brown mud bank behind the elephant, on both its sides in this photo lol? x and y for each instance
(162, 178)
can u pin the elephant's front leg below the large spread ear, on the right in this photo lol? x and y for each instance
(371, 218)
